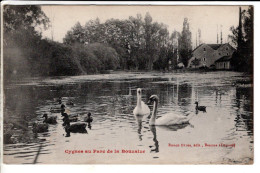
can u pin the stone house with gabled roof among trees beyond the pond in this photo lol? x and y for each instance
(205, 55)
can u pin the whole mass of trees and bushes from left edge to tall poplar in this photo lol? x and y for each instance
(135, 43)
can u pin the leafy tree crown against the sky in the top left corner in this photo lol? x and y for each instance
(21, 24)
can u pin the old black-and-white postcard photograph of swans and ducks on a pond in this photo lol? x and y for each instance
(127, 84)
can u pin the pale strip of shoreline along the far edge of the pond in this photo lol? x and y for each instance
(120, 75)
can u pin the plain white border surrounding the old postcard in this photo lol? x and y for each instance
(154, 168)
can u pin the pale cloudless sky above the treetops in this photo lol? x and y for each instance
(209, 19)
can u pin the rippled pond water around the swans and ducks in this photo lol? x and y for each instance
(112, 98)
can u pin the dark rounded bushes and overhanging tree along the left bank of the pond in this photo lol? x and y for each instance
(27, 54)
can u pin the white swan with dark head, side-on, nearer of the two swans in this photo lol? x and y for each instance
(167, 119)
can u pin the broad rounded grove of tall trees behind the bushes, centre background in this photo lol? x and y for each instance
(139, 42)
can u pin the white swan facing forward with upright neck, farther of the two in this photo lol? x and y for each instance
(141, 108)
